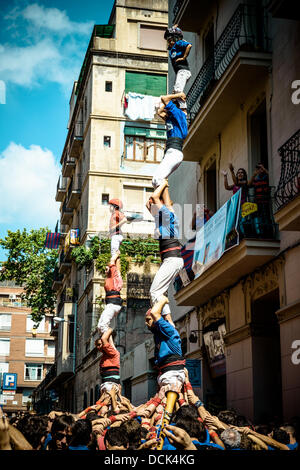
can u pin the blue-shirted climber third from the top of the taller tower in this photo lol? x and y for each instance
(167, 231)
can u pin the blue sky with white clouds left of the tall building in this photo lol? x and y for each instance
(42, 47)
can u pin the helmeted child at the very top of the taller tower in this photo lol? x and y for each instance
(179, 50)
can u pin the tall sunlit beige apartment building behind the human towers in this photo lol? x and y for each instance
(107, 155)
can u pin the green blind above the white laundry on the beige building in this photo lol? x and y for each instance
(146, 83)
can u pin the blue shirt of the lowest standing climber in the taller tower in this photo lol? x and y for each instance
(167, 340)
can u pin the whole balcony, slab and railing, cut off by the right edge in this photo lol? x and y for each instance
(287, 195)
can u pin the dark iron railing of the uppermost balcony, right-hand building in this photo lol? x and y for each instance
(246, 30)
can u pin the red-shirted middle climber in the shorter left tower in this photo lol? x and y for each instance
(113, 285)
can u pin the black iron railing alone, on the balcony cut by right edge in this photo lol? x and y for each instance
(289, 183)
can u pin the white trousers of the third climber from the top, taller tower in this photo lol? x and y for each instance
(169, 268)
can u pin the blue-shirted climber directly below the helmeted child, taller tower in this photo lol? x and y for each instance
(177, 130)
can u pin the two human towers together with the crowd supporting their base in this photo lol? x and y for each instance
(175, 418)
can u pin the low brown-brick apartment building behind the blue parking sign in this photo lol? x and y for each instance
(25, 353)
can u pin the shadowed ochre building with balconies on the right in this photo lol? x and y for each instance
(239, 320)
